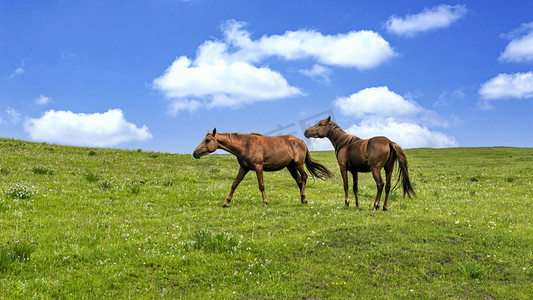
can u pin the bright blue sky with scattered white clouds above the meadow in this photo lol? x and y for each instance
(156, 75)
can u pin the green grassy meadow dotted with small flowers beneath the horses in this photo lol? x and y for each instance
(106, 223)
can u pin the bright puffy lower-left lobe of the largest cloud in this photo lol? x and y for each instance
(223, 83)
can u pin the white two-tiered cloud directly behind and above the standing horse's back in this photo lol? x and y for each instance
(383, 112)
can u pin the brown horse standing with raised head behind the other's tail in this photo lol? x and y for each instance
(357, 155)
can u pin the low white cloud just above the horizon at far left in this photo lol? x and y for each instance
(98, 129)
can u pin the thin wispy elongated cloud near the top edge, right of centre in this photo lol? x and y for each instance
(437, 17)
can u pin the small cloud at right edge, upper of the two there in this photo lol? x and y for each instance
(520, 48)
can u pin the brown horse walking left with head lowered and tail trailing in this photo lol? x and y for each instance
(264, 153)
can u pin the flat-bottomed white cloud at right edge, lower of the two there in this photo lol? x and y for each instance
(504, 86)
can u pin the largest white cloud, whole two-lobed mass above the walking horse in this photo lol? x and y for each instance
(225, 73)
